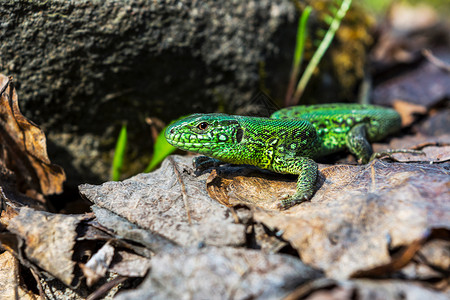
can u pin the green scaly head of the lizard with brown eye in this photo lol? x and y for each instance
(203, 133)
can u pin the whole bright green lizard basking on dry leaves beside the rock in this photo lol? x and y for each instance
(288, 141)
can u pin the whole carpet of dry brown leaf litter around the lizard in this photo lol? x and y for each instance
(386, 220)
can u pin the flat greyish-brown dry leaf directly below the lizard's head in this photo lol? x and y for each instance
(155, 202)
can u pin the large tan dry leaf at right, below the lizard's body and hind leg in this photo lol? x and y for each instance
(359, 212)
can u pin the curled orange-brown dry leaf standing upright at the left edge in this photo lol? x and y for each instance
(24, 147)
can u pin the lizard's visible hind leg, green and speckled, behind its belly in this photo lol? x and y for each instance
(358, 144)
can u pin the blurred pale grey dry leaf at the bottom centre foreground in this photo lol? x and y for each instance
(221, 273)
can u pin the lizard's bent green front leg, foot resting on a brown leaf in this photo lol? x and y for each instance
(306, 169)
